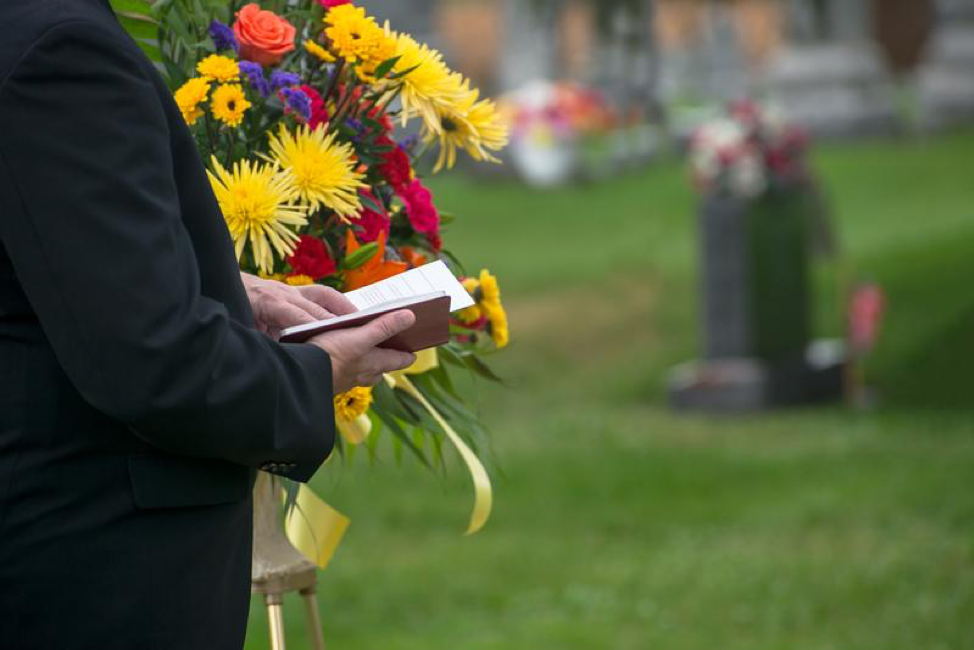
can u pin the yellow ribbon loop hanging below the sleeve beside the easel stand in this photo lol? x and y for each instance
(314, 527)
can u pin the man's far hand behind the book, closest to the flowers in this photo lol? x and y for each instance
(277, 305)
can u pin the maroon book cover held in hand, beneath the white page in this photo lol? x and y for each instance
(432, 327)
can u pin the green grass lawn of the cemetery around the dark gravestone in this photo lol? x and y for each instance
(619, 524)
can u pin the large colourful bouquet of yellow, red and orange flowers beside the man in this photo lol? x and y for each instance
(316, 124)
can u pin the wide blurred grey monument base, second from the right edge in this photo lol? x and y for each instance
(831, 79)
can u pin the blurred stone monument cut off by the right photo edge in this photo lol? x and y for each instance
(946, 77)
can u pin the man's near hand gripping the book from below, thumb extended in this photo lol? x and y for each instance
(355, 358)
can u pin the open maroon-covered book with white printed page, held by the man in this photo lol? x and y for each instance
(431, 292)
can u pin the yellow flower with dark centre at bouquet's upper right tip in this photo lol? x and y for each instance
(472, 125)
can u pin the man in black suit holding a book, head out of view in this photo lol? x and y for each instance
(137, 394)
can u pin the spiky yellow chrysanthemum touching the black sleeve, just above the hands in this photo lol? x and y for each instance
(258, 202)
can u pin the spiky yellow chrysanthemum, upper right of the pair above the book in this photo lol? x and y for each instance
(322, 170)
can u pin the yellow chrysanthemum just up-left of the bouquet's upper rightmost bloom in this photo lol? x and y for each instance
(430, 88)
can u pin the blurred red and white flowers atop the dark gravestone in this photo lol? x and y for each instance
(747, 152)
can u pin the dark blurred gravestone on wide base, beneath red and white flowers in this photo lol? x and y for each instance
(756, 316)
